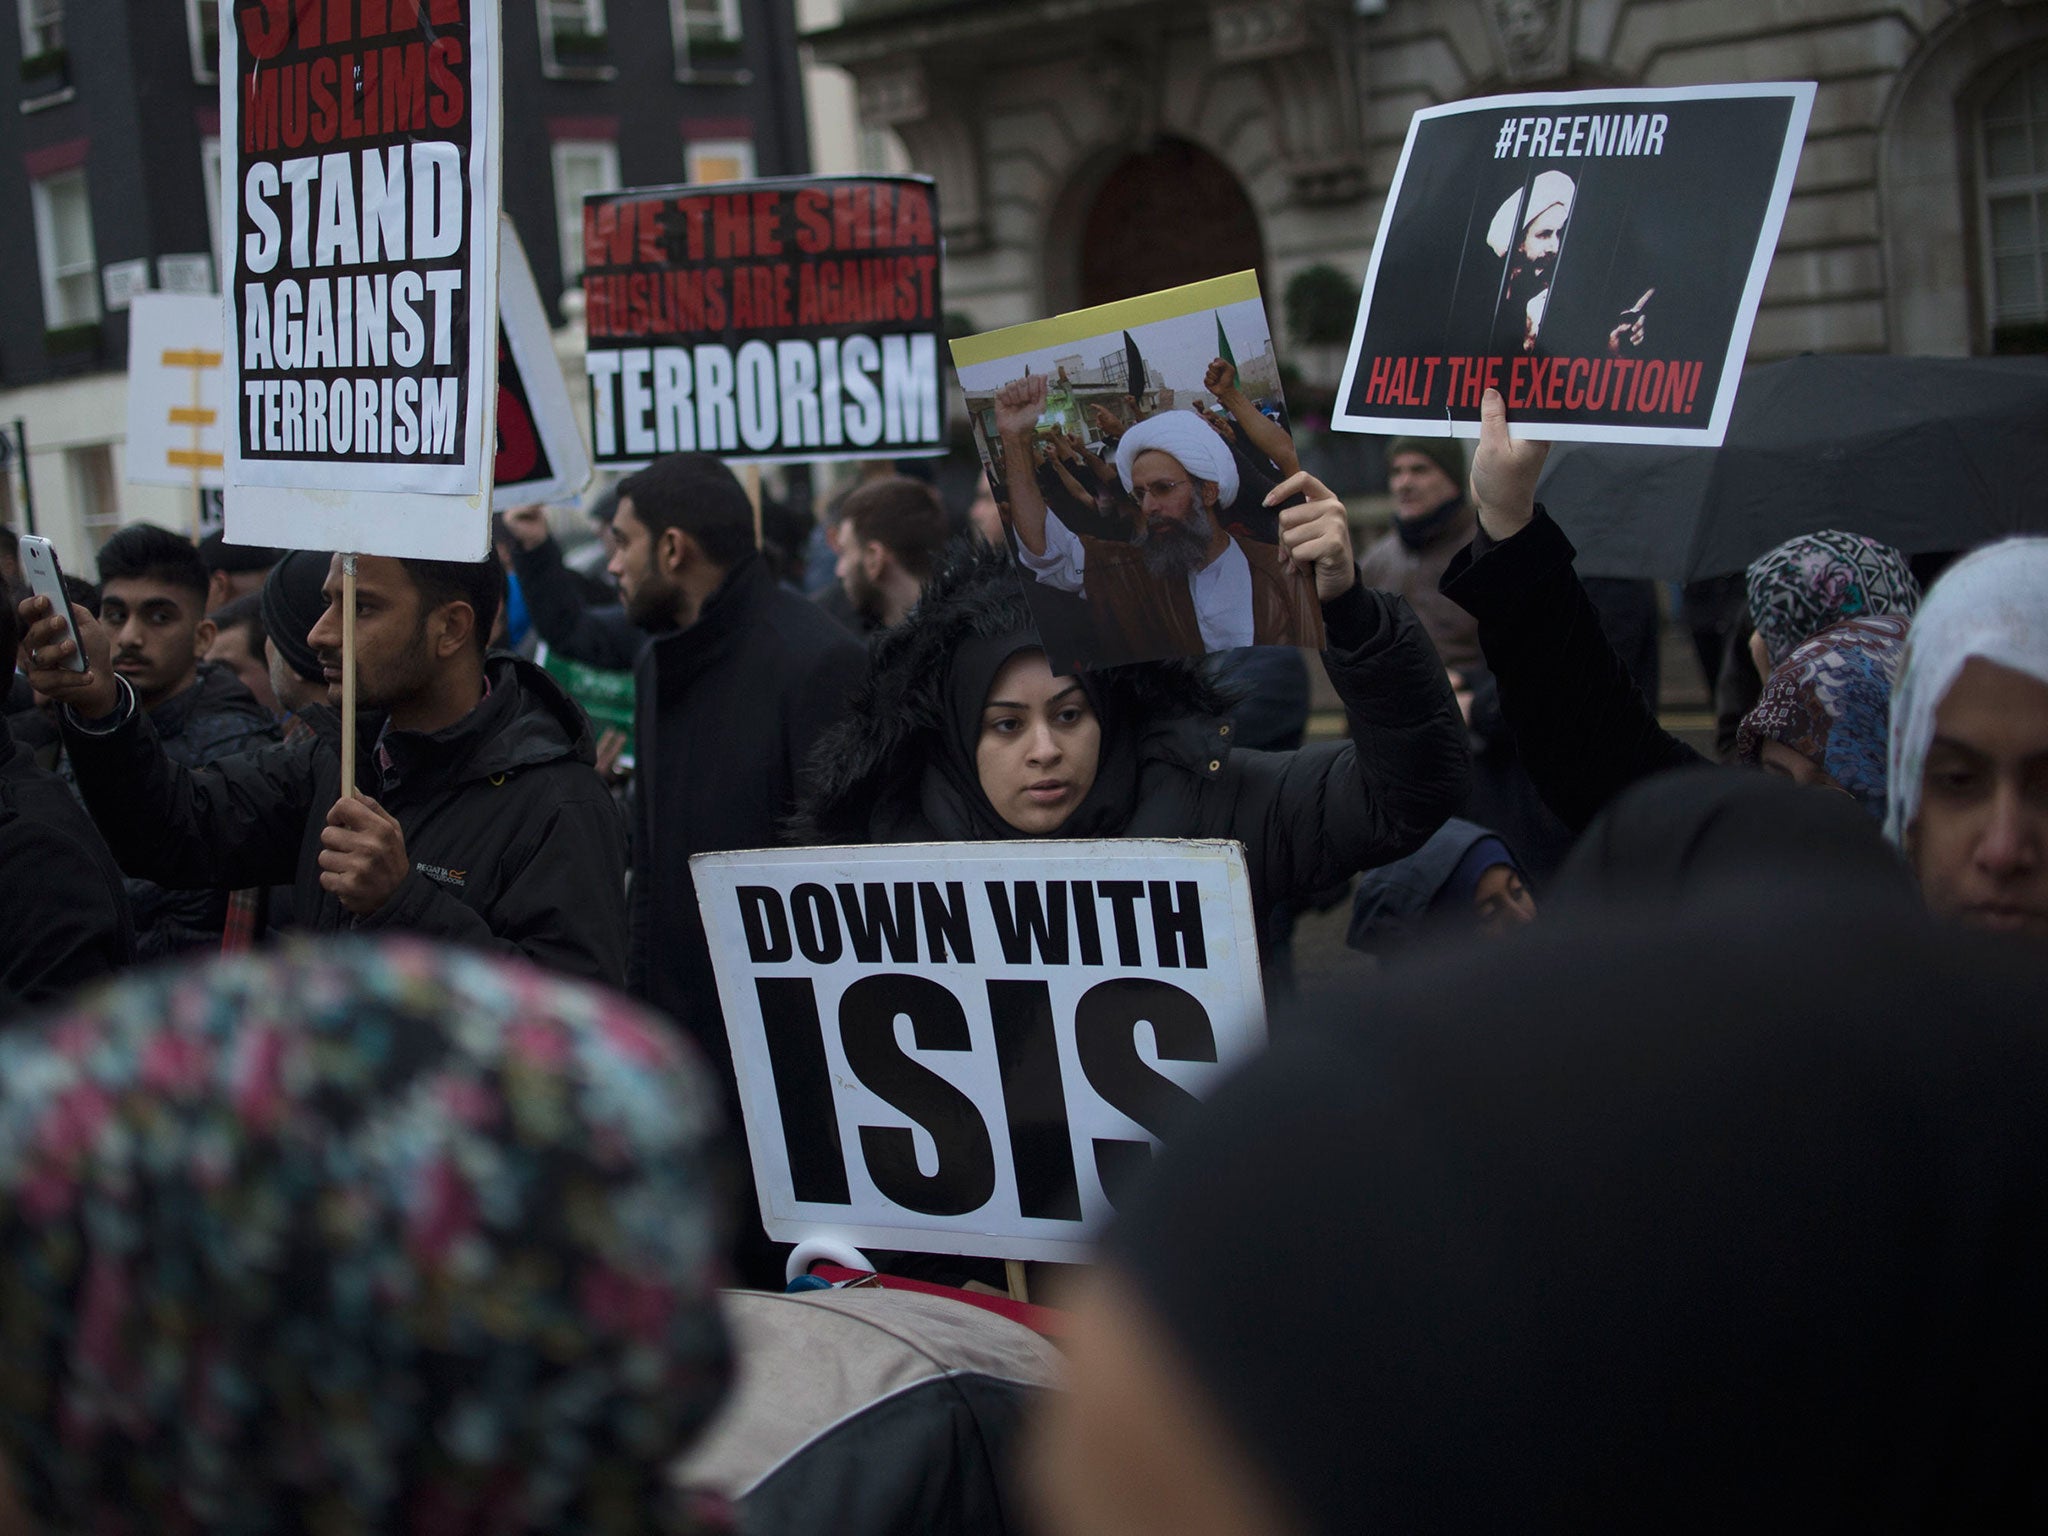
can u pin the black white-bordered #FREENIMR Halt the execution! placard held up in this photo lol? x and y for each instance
(1596, 257)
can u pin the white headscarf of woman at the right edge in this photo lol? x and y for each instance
(1992, 605)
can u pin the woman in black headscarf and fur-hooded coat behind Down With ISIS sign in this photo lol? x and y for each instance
(966, 734)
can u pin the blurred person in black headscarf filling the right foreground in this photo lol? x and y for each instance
(1586, 1236)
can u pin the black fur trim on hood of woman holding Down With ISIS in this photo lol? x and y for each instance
(894, 728)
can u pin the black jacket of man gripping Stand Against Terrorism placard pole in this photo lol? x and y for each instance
(513, 839)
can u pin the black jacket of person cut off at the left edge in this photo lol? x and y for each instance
(65, 912)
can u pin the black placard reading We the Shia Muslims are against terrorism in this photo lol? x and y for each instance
(790, 318)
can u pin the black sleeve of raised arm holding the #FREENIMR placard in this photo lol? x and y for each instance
(1580, 722)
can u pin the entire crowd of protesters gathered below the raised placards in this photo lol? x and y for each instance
(1678, 1164)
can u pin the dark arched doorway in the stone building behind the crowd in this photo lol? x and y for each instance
(1162, 218)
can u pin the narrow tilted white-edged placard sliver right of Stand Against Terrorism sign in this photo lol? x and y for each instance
(542, 452)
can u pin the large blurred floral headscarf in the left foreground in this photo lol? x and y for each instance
(353, 1240)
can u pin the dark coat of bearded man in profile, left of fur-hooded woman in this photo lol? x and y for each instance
(726, 714)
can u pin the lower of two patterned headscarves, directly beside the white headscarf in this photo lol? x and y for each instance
(1832, 701)
